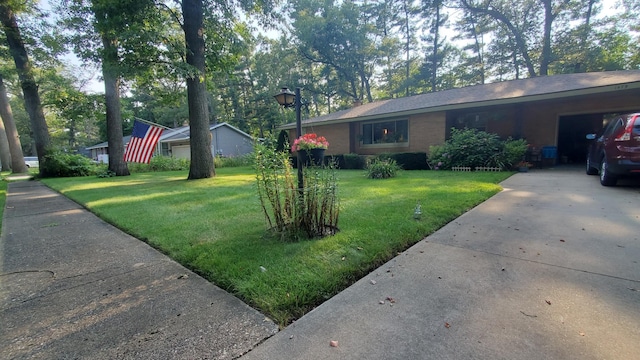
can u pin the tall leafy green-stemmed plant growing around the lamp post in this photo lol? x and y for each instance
(290, 212)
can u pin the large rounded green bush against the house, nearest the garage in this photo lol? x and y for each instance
(475, 148)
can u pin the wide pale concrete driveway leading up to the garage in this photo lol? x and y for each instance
(547, 269)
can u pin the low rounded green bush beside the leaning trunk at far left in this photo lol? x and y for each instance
(60, 164)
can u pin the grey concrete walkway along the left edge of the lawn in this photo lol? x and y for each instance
(74, 287)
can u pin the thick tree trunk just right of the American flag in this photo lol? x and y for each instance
(200, 139)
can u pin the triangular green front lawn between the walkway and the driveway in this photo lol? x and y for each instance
(215, 227)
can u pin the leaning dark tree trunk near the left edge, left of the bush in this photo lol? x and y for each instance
(27, 81)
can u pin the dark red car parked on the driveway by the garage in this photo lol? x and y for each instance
(616, 152)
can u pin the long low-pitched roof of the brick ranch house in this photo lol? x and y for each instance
(505, 92)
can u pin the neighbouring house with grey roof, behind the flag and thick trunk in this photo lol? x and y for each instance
(226, 140)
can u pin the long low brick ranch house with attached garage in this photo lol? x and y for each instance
(551, 111)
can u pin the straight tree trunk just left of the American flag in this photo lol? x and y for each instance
(112, 102)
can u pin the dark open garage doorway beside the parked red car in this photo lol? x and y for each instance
(572, 131)
